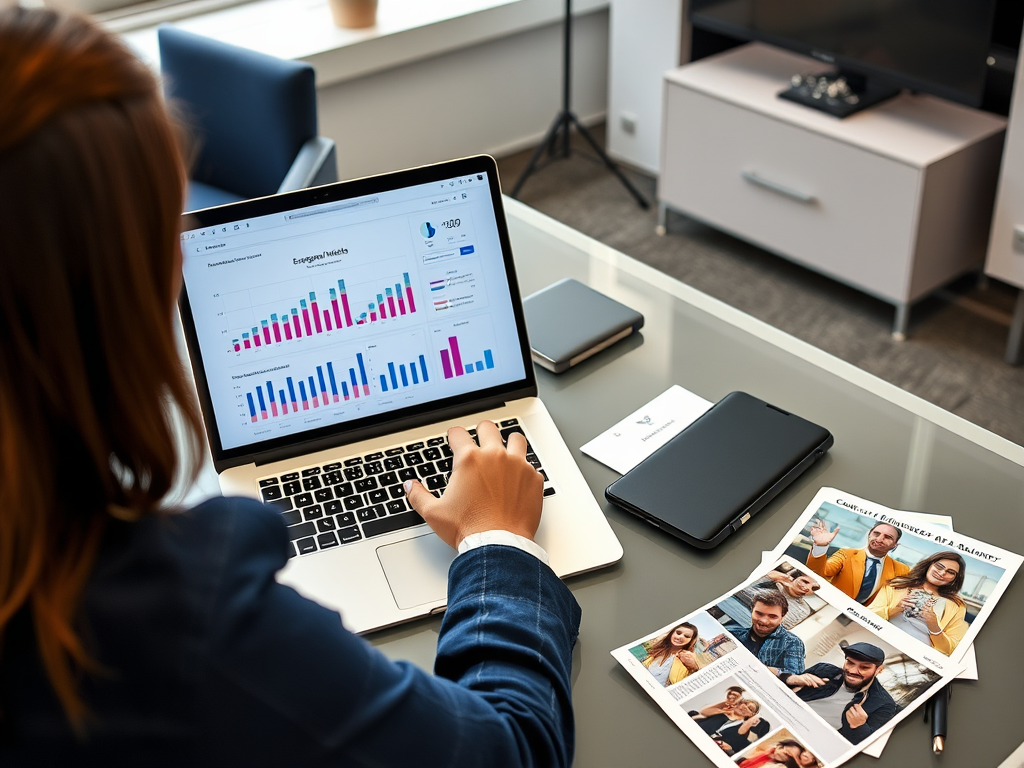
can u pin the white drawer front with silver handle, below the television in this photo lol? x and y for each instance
(837, 208)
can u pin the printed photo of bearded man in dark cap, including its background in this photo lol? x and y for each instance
(854, 680)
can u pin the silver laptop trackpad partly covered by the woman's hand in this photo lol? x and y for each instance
(417, 570)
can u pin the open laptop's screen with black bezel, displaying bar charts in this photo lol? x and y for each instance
(394, 296)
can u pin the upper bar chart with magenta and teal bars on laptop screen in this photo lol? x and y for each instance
(289, 313)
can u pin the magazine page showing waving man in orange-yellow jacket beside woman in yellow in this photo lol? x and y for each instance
(936, 586)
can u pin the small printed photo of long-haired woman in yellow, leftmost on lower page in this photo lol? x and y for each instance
(688, 647)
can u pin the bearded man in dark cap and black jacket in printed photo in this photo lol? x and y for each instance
(850, 699)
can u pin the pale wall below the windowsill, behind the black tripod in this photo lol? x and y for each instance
(494, 98)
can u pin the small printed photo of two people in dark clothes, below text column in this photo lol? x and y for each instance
(733, 716)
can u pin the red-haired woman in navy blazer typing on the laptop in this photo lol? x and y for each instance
(136, 634)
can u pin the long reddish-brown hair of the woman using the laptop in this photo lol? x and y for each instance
(93, 182)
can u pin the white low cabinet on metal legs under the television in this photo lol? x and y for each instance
(895, 201)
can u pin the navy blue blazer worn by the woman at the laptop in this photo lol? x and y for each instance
(206, 661)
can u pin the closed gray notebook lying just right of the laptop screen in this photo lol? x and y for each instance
(569, 323)
